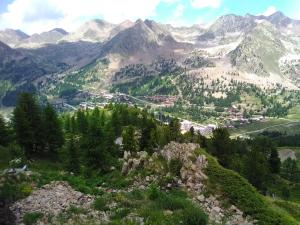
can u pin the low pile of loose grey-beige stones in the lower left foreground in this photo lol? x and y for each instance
(51, 199)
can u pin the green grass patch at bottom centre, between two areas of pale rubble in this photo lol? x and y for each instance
(157, 207)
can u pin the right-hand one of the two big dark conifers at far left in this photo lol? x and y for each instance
(53, 132)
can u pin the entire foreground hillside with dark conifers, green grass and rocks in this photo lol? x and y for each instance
(119, 165)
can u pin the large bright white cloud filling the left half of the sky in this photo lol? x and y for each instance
(37, 16)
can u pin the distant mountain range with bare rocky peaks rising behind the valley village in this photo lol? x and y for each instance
(259, 50)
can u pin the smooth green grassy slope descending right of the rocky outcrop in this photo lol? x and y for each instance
(235, 190)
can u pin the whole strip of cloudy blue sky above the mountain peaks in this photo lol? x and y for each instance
(36, 16)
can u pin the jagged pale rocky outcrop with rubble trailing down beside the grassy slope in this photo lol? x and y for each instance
(193, 178)
